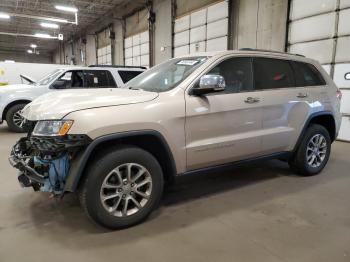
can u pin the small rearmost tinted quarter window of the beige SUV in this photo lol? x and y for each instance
(307, 75)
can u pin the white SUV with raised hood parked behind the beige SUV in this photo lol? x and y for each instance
(13, 98)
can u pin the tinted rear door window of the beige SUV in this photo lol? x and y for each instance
(272, 73)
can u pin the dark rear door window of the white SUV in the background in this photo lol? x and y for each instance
(99, 78)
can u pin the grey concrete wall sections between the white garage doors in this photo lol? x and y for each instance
(254, 23)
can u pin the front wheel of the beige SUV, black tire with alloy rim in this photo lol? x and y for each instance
(94, 187)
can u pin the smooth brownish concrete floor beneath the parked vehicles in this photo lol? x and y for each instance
(259, 212)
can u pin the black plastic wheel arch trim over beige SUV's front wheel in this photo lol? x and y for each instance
(149, 140)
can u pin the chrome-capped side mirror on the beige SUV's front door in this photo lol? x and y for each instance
(209, 84)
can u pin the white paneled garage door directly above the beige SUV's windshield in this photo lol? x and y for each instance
(202, 30)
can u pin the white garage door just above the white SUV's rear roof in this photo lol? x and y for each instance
(137, 50)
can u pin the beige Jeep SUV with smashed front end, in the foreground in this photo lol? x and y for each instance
(118, 147)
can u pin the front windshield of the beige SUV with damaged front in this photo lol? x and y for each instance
(167, 75)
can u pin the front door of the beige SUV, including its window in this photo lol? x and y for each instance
(225, 126)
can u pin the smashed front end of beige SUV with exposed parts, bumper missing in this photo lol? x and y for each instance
(44, 162)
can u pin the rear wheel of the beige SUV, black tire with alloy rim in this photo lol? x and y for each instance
(308, 160)
